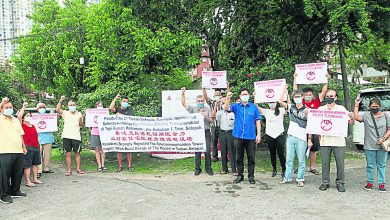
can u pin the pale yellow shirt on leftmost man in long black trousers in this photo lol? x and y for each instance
(11, 132)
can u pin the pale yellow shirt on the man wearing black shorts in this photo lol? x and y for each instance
(71, 125)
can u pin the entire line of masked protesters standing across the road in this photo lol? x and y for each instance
(235, 126)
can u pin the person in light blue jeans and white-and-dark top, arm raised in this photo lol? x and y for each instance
(297, 138)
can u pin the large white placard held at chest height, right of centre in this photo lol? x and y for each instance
(327, 122)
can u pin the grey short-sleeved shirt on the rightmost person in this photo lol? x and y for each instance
(370, 136)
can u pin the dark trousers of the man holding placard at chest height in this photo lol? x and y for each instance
(339, 154)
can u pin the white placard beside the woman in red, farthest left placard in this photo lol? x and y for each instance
(44, 122)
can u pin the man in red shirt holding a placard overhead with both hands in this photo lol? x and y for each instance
(310, 101)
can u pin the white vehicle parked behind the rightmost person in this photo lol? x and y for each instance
(383, 93)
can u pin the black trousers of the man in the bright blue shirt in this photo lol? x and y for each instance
(249, 146)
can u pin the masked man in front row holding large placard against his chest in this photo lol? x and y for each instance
(333, 144)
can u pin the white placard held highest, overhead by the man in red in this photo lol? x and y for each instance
(311, 73)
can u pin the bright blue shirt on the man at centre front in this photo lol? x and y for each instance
(245, 120)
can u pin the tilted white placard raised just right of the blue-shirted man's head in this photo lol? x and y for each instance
(269, 91)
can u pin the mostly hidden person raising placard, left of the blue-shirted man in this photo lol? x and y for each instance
(215, 126)
